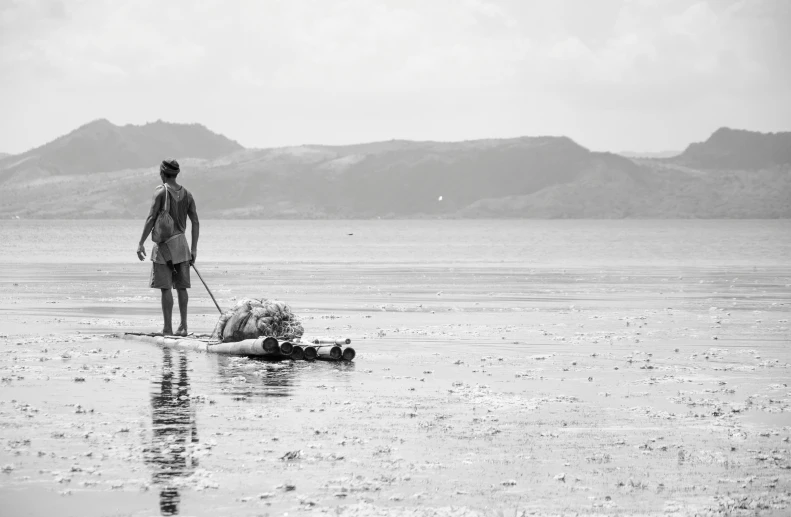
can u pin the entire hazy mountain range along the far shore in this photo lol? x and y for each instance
(101, 170)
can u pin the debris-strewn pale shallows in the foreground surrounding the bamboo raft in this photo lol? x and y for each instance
(479, 388)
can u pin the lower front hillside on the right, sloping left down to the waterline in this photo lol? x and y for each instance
(660, 192)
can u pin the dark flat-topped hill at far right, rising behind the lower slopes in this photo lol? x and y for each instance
(734, 149)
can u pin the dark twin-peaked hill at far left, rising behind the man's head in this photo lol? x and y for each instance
(101, 146)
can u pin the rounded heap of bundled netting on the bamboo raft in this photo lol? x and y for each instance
(251, 318)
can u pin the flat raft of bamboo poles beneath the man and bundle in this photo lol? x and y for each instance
(268, 347)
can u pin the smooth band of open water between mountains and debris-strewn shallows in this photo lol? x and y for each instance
(558, 243)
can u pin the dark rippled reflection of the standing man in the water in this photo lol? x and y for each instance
(174, 429)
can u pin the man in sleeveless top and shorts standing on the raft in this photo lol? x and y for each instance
(171, 260)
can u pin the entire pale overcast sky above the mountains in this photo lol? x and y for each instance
(642, 75)
